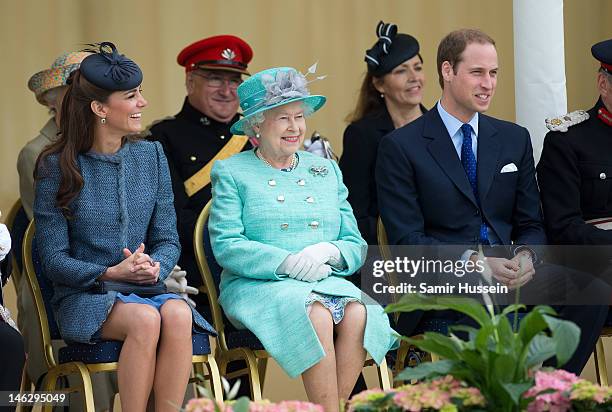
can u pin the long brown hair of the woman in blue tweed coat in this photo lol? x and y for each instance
(76, 135)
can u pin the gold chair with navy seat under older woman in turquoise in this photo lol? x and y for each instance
(233, 344)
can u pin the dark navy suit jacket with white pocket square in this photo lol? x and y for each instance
(426, 198)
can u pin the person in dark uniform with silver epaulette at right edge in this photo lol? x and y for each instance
(575, 170)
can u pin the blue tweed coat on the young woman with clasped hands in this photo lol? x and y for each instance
(126, 200)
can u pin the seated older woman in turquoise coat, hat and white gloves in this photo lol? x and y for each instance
(286, 237)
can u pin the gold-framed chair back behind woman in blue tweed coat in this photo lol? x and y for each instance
(42, 292)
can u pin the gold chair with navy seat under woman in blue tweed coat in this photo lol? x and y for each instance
(83, 360)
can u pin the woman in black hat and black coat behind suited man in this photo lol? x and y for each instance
(390, 97)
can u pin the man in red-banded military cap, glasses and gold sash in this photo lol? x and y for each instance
(200, 133)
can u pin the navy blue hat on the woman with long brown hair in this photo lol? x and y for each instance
(109, 70)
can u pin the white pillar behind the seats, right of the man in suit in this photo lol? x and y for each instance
(539, 66)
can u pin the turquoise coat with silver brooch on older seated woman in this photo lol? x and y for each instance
(259, 216)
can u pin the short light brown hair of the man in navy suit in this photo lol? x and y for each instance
(453, 45)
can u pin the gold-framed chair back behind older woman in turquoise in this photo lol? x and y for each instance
(210, 271)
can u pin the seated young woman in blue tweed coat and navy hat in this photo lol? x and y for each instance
(104, 212)
